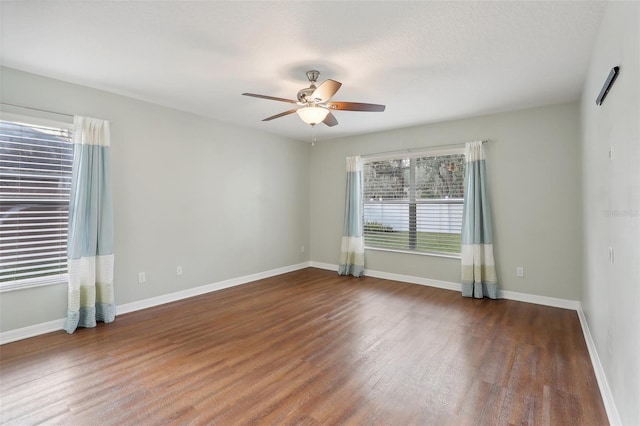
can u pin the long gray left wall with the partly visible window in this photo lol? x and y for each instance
(221, 201)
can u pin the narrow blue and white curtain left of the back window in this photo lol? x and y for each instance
(352, 250)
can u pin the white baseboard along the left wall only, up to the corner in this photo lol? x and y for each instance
(56, 325)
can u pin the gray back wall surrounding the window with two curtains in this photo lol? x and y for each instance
(534, 172)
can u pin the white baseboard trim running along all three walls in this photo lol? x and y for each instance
(605, 391)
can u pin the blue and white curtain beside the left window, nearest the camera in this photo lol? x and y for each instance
(90, 240)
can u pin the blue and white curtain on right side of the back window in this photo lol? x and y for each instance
(478, 267)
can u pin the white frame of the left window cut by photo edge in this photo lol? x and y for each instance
(37, 121)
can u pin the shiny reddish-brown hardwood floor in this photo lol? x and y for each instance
(310, 348)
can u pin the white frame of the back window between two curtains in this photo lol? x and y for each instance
(422, 153)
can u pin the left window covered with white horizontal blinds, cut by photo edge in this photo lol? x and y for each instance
(35, 180)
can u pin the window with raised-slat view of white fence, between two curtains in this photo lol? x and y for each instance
(414, 203)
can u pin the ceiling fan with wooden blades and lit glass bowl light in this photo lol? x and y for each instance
(314, 104)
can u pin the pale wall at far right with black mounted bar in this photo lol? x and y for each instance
(611, 206)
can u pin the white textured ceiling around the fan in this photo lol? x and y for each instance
(427, 61)
